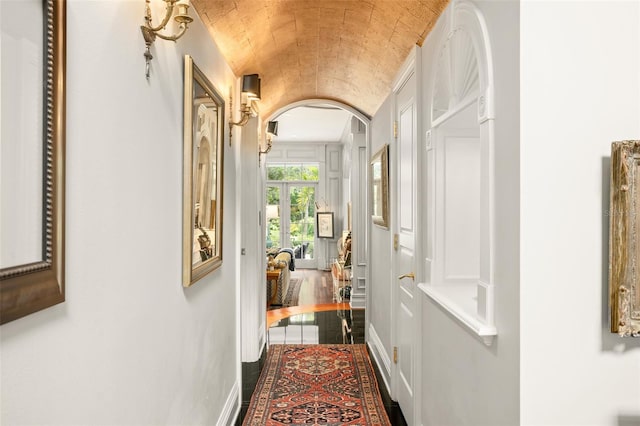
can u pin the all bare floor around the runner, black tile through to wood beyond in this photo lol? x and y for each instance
(316, 319)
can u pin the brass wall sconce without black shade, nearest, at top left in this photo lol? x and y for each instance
(149, 32)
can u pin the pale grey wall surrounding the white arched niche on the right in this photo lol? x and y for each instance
(463, 381)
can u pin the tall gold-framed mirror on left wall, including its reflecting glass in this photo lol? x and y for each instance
(203, 167)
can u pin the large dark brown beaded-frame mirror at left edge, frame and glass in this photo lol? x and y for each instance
(32, 170)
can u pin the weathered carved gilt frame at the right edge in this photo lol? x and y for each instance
(624, 239)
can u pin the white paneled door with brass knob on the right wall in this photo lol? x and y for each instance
(405, 256)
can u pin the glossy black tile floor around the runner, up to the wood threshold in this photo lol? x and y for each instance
(330, 327)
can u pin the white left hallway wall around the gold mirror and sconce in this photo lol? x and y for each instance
(129, 345)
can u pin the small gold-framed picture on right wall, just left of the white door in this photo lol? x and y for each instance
(380, 187)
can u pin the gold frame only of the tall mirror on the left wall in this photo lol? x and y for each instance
(191, 274)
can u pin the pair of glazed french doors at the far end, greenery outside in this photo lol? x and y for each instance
(291, 223)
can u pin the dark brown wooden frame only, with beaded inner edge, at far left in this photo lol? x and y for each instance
(29, 288)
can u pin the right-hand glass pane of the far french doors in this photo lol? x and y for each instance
(302, 231)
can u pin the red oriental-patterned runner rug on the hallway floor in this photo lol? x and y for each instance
(317, 385)
